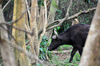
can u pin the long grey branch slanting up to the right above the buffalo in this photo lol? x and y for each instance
(71, 17)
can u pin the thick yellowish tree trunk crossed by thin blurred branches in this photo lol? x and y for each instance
(19, 8)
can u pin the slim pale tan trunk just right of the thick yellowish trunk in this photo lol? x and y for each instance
(33, 25)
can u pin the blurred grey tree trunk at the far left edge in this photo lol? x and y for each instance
(6, 52)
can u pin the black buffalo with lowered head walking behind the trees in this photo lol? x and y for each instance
(75, 35)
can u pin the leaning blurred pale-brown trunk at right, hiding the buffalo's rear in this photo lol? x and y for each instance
(91, 53)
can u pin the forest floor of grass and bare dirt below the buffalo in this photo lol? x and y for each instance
(61, 58)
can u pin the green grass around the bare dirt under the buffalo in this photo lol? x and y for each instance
(56, 61)
